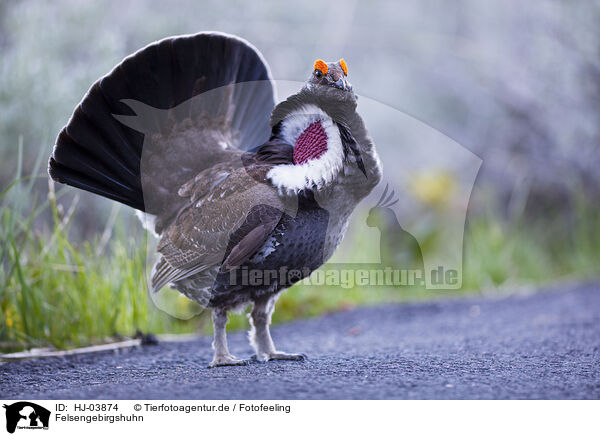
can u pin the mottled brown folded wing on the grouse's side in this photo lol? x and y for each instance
(228, 213)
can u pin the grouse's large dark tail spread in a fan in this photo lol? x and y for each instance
(101, 148)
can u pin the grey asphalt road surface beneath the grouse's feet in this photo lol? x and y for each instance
(543, 345)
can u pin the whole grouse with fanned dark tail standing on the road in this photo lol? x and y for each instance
(234, 185)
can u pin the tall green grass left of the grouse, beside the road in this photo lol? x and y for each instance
(53, 292)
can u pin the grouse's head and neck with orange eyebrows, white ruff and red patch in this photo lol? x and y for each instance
(316, 122)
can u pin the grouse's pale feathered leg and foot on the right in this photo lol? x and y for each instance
(260, 336)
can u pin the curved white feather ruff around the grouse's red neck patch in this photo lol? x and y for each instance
(314, 173)
